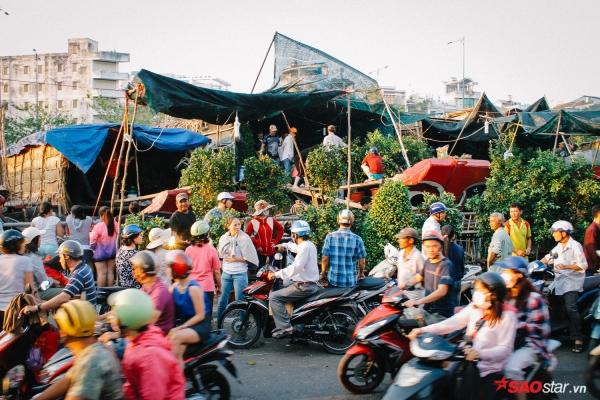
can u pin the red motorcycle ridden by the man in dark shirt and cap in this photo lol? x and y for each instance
(381, 345)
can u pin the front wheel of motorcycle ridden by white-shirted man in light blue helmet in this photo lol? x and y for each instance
(241, 336)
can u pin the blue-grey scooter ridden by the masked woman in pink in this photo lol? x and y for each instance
(437, 371)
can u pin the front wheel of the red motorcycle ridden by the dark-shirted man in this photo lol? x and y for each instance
(357, 375)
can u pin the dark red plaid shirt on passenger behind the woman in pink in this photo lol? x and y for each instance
(533, 324)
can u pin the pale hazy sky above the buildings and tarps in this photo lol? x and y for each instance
(526, 49)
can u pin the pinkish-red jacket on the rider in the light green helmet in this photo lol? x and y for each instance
(151, 370)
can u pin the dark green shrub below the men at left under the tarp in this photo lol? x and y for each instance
(265, 179)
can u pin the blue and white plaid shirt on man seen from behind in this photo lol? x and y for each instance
(344, 249)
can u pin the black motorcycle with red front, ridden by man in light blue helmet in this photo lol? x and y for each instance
(328, 317)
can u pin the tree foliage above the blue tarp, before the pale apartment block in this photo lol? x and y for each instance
(26, 121)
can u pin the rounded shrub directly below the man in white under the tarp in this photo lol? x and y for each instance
(326, 168)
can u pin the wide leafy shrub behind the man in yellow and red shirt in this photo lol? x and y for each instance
(548, 188)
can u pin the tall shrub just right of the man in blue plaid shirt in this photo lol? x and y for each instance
(389, 213)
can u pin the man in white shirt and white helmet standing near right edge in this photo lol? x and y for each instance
(569, 273)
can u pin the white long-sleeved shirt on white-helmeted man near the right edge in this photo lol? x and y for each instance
(567, 280)
